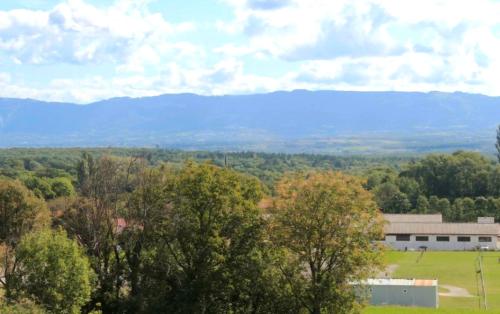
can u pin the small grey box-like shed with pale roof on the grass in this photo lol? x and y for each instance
(403, 292)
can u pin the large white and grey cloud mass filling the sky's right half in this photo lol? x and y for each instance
(376, 44)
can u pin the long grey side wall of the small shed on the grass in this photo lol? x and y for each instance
(422, 296)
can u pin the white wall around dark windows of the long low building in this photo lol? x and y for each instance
(433, 244)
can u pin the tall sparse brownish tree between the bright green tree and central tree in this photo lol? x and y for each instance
(104, 187)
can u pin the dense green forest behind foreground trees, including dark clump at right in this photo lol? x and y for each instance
(461, 186)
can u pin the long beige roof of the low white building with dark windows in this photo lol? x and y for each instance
(442, 228)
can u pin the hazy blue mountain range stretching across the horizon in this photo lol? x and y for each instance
(295, 121)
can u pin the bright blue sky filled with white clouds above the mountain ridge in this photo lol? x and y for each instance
(87, 50)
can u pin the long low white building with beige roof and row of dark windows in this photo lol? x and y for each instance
(413, 232)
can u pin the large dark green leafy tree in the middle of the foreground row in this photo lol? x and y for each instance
(208, 256)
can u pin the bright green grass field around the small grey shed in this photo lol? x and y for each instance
(450, 268)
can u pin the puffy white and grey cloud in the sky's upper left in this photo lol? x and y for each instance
(125, 33)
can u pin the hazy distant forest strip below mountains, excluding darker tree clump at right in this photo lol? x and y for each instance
(268, 167)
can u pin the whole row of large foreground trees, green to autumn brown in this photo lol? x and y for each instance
(190, 238)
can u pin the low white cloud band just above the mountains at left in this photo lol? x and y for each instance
(226, 77)
